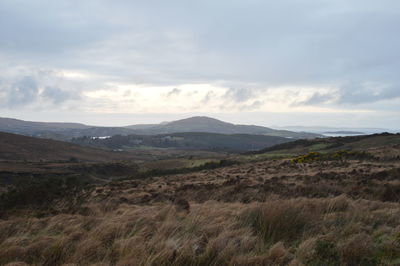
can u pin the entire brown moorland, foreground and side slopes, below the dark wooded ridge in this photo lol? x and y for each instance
(321, 201)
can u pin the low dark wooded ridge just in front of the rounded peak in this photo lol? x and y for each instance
(188, 140)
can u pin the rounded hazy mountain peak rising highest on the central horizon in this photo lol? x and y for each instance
(211, 125)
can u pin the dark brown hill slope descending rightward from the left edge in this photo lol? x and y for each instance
(18, 147)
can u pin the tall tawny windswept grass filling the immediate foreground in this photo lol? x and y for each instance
(336, 231)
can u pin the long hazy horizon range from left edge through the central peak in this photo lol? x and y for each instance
(67, 131)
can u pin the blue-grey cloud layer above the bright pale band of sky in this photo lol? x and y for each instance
(241, 44)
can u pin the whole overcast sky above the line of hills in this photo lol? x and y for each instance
(118, 62)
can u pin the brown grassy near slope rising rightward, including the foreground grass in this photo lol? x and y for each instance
(335, 211)
